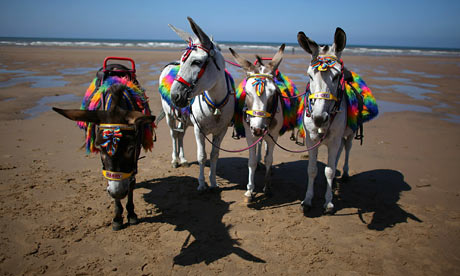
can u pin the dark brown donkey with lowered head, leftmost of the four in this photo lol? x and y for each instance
(118, 136)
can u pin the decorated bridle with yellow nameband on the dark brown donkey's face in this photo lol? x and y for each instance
(112, 133)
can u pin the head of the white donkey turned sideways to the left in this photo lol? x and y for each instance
(199, 66)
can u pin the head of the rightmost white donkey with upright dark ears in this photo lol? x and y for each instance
(325, 73)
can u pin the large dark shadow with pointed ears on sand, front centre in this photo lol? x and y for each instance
(201, 215)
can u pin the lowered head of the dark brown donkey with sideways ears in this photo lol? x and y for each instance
(118, 138)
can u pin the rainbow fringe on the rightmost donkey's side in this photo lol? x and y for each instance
(370, 109)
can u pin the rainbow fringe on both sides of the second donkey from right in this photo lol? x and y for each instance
(292, 107)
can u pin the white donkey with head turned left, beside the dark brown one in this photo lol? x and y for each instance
(202, 83)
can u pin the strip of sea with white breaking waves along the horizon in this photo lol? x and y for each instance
(237, 45)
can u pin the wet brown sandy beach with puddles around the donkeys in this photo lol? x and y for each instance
(398, 215)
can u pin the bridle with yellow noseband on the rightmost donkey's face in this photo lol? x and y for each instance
(323, 63)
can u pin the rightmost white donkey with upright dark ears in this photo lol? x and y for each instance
(325, 118)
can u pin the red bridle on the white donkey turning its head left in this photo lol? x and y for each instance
(211, 56)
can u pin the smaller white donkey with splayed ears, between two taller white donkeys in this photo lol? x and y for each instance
(262, 116)
